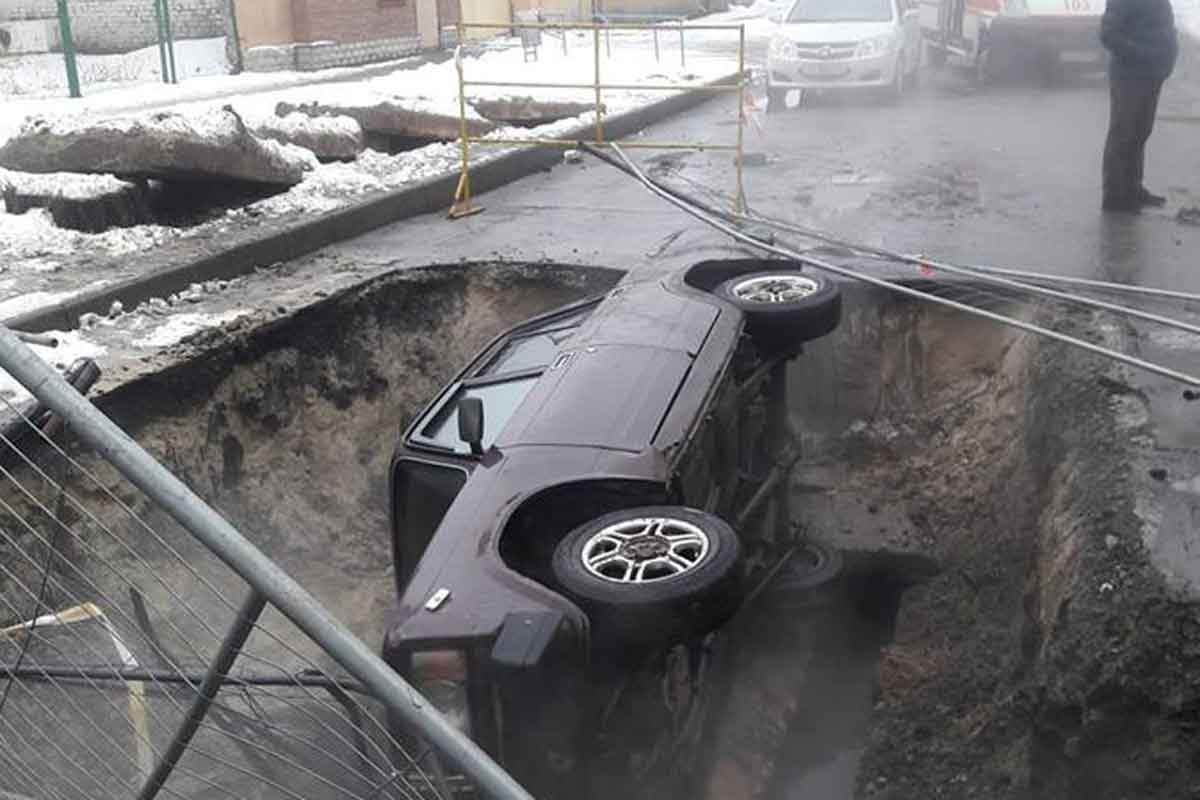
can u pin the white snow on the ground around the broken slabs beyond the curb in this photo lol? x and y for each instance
(33, 245)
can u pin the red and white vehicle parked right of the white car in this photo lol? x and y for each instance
(997, 38)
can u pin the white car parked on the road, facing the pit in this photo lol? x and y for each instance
(844, 45)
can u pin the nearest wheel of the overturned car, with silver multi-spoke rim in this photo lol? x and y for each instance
(656, 575)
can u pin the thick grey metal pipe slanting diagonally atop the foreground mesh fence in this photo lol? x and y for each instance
(261, 573)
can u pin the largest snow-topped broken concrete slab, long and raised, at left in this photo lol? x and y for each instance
(167, 147)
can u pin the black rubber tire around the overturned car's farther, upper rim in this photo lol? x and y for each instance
(797, 321)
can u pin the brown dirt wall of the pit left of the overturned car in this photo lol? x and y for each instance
(289, 431)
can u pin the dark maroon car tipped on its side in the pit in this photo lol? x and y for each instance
(585, 506)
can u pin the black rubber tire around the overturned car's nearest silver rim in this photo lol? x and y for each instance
(663, 610)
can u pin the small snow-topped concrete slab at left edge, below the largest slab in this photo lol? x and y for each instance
(87, 203)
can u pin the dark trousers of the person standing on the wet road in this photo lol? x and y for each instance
(1131, 123)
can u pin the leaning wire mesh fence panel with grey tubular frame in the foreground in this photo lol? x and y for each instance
(151, 649)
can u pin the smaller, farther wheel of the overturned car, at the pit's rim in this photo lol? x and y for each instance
(785, 306)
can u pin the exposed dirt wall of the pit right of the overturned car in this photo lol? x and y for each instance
(1047, 659)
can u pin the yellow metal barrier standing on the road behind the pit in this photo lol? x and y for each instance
(463, 201)
